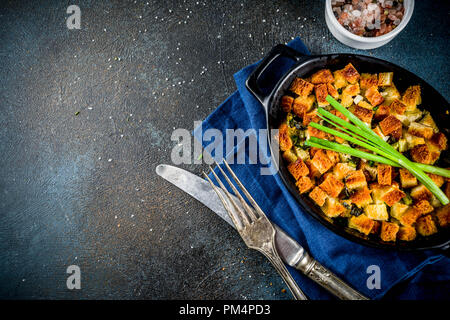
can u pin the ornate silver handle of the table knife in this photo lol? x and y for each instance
(328, 280)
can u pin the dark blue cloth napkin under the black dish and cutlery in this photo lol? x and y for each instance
(418, 275)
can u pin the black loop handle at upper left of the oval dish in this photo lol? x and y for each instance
(277, 52)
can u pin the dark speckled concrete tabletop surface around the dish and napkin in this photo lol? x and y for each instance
(86, 116)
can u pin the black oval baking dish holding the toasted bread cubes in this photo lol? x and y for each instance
(305, 66)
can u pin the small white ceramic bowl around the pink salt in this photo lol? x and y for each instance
(358, 42)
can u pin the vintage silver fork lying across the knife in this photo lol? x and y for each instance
(254, 227)
